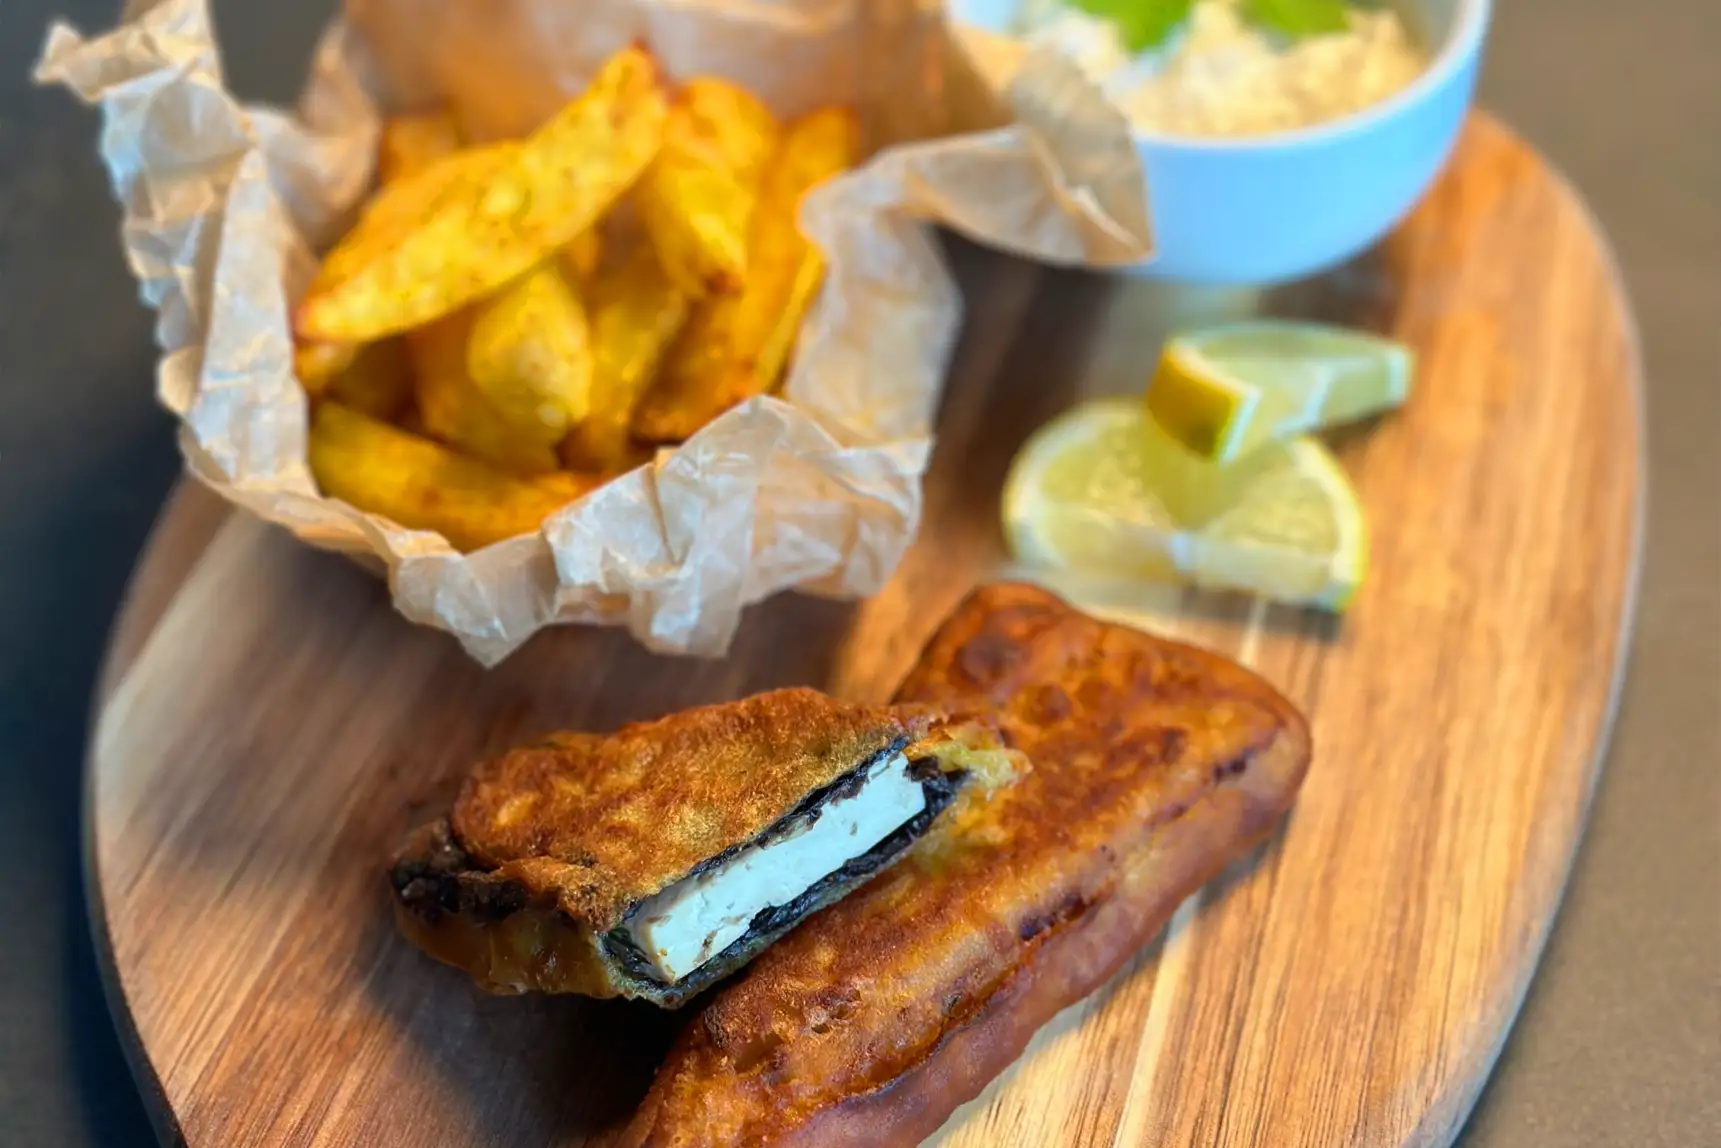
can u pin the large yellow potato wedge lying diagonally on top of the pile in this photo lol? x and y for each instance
(462, 228)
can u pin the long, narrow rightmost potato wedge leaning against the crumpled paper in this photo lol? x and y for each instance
(736, 347)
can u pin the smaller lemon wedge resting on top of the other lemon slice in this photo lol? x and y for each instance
(1230, 390)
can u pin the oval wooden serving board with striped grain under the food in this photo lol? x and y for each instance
(269, 729)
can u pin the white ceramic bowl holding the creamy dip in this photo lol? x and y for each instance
(1268, 209)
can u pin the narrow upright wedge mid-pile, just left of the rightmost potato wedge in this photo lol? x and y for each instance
(636, 316)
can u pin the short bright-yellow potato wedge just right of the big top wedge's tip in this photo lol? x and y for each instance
(700, 194)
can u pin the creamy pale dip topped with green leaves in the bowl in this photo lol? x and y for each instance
(1224, 77)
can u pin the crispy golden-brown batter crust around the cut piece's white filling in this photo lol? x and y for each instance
(550, 846)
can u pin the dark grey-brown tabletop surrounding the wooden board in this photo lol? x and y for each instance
(1620, 1042)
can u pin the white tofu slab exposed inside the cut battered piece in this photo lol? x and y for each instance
(693, 922)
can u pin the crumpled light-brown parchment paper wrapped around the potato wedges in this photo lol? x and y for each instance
(225, 207)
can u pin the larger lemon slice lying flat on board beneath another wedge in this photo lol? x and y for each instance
(1106, 491)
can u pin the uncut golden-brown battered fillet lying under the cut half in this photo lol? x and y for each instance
(1154, 767)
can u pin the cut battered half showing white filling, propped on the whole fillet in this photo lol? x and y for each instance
(653, 861)
